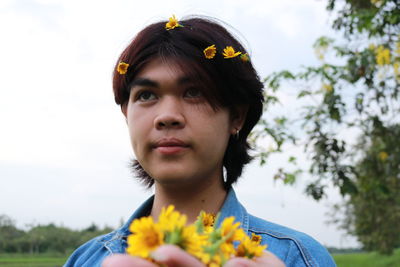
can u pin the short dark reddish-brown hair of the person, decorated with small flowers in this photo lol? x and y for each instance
(230, 83)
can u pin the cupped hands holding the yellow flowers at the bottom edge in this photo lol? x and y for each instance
(173, 256)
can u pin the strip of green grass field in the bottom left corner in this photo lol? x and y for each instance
(28, 260)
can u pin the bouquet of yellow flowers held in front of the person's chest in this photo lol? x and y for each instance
(212, 246)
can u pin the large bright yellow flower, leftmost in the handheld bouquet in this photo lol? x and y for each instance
(145, 238)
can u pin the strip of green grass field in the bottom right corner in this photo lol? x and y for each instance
(367, 260)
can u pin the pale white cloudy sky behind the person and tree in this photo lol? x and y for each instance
(64, 145)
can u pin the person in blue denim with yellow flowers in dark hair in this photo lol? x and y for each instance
(191, 96)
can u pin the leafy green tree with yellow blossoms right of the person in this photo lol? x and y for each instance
(354, 98)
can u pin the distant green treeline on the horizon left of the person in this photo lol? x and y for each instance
(48, 238)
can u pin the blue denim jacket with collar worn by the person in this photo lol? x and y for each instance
(294, 248)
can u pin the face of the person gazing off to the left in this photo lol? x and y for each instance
(176, 135)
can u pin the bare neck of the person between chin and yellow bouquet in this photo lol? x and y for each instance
(190, 200)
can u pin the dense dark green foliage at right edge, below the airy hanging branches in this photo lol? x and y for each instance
(376, 207)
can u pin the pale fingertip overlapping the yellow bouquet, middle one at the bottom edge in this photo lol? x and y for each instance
(173, 256)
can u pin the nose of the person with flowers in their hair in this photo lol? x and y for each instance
(170, 115)
